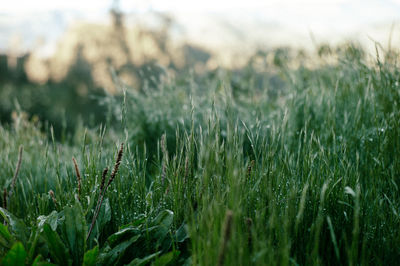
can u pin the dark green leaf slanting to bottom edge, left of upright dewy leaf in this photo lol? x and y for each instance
(58, 251)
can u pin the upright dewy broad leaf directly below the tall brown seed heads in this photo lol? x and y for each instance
(75, 232)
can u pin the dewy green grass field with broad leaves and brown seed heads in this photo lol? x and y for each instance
(217, 170)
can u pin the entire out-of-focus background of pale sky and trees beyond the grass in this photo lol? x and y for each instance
(59, 59)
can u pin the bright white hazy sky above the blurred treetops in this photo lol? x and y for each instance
(324, 18)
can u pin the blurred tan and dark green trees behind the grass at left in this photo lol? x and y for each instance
(90, 62)
